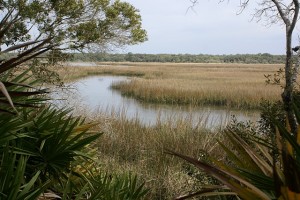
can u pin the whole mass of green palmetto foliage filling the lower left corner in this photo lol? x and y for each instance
(42, 148)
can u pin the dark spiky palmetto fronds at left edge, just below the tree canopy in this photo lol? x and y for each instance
(13, 90)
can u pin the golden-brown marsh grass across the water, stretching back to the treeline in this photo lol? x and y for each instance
(232, 85)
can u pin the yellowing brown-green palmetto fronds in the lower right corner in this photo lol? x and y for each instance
(259, 167)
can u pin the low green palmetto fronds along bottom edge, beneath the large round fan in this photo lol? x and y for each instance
(93, 184)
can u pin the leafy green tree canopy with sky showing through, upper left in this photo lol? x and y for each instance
(30, 28)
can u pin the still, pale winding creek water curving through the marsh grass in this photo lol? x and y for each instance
(96, 95)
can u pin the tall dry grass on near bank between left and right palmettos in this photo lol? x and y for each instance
(127, 145)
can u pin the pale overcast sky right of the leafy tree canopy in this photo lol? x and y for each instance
(210, 28)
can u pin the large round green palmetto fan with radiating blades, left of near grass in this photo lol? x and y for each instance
(56, 138)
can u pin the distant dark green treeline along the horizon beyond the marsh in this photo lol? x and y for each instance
(178, 58)
